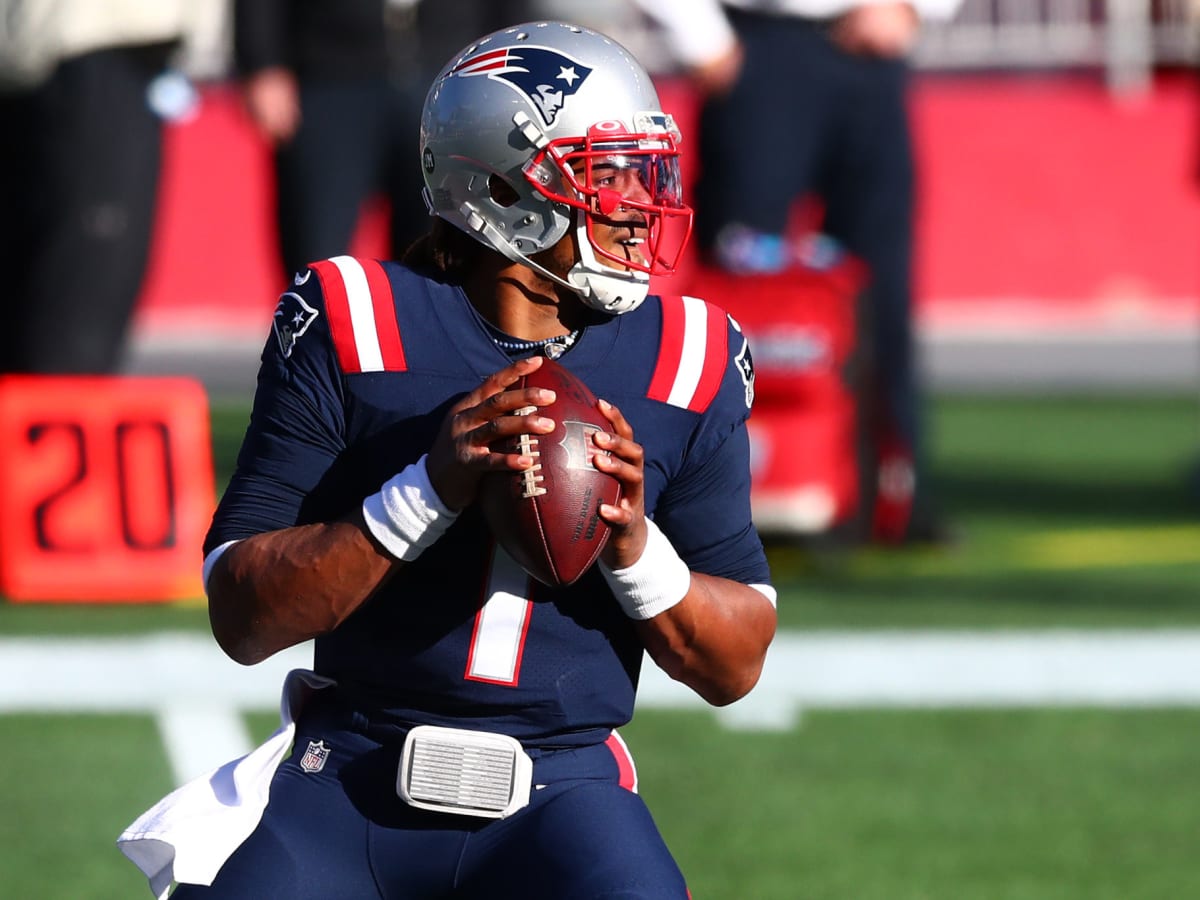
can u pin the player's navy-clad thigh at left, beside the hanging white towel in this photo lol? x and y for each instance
(311, 843)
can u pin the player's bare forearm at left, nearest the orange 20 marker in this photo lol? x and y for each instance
(280, 589)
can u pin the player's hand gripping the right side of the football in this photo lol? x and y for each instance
(626, 461)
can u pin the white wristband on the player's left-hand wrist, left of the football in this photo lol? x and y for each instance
(407, 517)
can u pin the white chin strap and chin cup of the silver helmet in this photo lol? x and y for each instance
(599, 287)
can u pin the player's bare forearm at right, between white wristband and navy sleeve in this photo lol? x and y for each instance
(716, 640)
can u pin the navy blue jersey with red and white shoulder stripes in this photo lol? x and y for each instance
(364, 362)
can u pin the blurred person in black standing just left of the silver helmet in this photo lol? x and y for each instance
(337, 89)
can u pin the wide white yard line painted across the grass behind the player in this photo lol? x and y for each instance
(197, 694)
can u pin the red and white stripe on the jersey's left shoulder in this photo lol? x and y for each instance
(362, 315)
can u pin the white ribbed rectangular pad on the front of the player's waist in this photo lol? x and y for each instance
(469, 773)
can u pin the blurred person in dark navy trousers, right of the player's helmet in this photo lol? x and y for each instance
(808, 99)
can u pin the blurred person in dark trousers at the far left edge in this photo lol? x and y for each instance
(81, 103)
